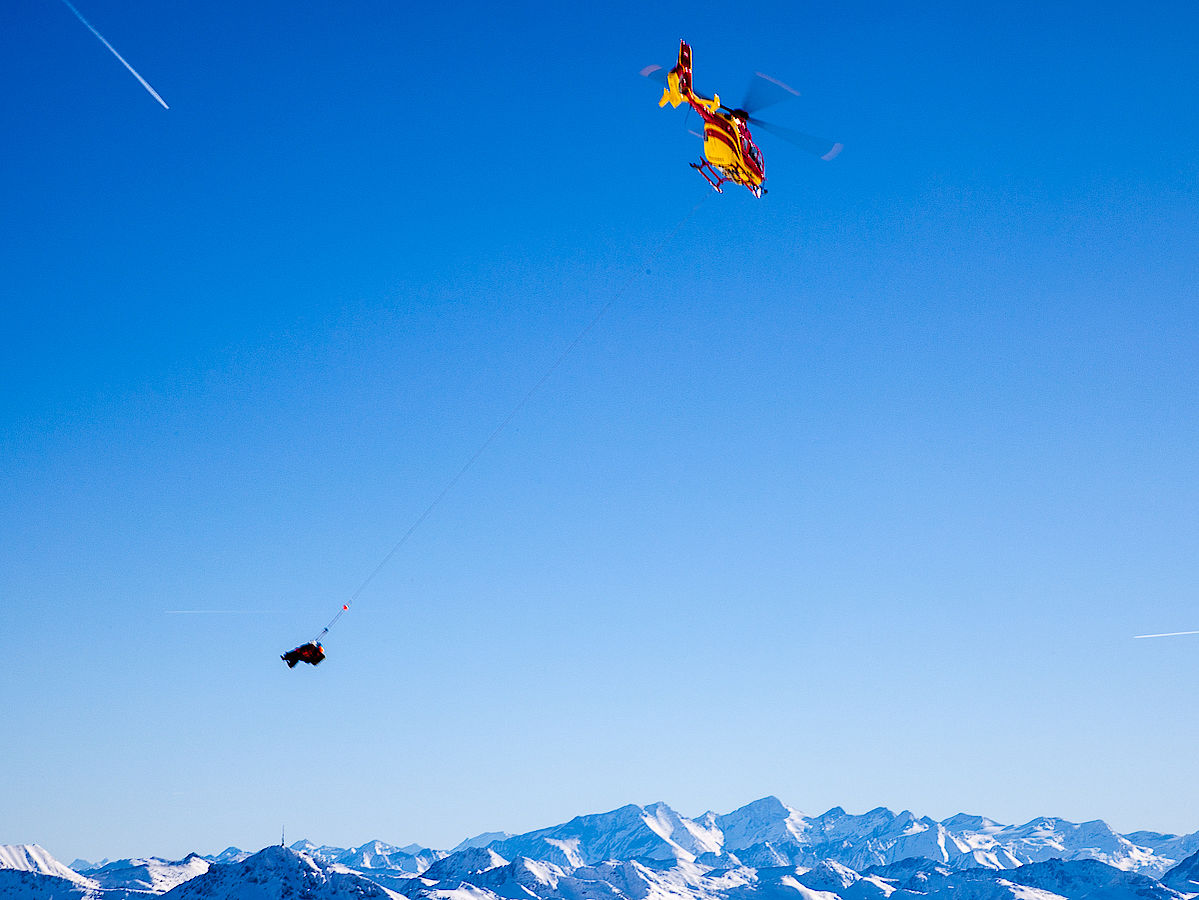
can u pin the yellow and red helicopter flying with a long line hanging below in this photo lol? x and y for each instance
(731, 154)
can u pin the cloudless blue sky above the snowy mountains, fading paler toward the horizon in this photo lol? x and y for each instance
(855, 496)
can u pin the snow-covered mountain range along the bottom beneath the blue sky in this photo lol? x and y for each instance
(762, 851)
